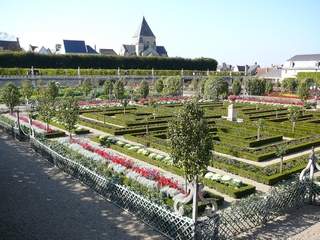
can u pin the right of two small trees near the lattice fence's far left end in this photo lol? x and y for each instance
(69, 113)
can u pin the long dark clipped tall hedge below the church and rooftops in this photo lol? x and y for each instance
(26, 60)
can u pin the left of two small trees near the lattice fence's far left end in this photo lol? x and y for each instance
(46, 108)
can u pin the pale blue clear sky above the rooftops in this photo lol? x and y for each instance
(232, 31)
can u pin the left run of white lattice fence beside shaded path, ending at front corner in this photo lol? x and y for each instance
(166, 222)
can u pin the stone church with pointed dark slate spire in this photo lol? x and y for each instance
(144, 43)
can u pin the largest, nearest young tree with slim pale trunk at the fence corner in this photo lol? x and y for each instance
(191, 144)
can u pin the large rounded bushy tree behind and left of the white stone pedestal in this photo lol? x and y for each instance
(215, 87)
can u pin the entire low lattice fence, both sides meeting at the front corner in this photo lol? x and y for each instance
(226, 224)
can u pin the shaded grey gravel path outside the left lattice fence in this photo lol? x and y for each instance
(38, 201)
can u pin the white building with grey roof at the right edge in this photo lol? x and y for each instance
(300, 63)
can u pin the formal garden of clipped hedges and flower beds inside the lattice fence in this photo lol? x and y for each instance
(167, 148)
